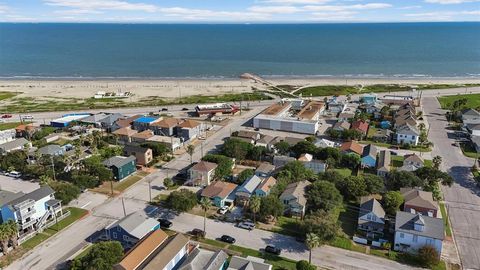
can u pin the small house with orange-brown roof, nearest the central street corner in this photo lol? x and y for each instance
(220, 192)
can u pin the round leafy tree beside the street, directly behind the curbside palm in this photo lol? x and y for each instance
(323, 224)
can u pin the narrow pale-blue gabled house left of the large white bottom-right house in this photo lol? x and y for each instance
(371, 217)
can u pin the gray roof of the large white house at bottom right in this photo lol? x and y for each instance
(433, 227)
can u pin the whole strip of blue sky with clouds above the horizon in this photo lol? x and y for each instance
(241, 11)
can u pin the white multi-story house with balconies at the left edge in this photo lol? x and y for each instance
(30, 211)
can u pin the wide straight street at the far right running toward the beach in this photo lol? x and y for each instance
(463, 198)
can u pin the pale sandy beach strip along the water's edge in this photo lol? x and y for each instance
(169, 89)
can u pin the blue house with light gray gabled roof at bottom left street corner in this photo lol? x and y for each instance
(131, 229)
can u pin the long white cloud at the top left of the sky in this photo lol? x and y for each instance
(102, 5)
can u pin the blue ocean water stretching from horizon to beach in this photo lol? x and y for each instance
(55, 50)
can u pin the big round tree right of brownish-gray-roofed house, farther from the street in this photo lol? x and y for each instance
(323, 195)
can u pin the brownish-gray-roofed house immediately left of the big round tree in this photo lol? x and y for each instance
(294, 199)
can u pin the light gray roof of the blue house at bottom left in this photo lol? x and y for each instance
(136, 224)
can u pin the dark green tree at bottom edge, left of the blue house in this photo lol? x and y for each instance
(102, 256)
